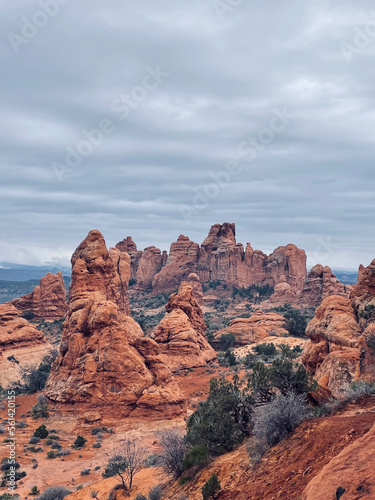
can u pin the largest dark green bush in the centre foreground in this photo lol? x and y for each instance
(222, 421)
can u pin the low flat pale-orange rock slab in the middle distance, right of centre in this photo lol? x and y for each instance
(258, 327)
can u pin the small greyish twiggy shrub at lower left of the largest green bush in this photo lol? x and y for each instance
(174, 446)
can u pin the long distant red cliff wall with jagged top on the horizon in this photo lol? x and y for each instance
(219, 258)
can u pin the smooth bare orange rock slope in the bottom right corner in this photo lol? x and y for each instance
(352, 470)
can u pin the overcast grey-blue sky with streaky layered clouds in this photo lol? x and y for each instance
(155, 119)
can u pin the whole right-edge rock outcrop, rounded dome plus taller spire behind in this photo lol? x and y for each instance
(340, 349)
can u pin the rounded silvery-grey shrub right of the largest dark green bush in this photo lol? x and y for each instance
(275, 420)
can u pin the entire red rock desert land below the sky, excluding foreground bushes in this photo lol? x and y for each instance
(114, 376)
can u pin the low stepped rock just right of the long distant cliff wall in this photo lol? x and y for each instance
(321, 283)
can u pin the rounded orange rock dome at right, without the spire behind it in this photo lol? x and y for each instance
(337, 354)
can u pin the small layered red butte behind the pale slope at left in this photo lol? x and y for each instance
(48, 300)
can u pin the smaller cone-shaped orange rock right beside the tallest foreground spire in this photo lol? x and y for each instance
(180, 334)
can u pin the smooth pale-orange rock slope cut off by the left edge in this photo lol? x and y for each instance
(21, 345)
